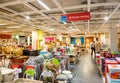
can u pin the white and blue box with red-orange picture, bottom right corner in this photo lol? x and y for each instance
(113, 76)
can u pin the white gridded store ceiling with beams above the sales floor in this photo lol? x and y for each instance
(23, 16)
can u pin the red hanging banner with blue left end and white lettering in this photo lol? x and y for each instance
(75, 17)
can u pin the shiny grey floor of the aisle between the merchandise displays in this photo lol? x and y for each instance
(86, 71)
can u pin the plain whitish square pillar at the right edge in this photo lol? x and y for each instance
(113, 39)
